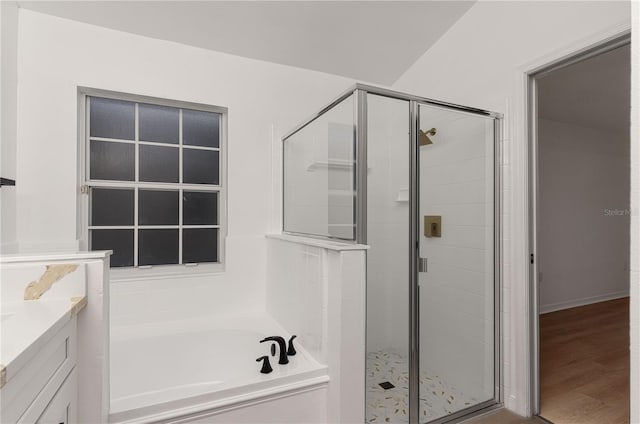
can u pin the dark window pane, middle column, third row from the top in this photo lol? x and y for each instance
(157, 207)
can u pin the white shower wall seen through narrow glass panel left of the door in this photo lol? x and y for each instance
(387, 224)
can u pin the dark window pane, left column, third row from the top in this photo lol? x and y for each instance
(111, 206)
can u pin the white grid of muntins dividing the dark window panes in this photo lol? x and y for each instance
(136, 185)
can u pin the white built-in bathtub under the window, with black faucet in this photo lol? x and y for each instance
(179, 369)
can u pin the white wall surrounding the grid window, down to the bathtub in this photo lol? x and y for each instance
(264, 100)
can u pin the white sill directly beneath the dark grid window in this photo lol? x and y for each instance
(161, 272)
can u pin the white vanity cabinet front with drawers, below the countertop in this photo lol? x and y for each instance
(43, 387)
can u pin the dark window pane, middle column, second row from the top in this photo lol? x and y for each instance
(159, 164)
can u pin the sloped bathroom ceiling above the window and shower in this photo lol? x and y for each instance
(370, 41)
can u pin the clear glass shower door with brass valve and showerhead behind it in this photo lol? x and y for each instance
(457, 276)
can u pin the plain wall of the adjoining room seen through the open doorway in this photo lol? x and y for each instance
(584, 213)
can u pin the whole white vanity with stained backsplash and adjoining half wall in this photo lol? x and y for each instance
(54, 338)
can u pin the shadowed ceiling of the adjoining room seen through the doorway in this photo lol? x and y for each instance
(594, 93)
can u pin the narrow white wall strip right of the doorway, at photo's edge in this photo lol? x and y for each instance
(635, 217)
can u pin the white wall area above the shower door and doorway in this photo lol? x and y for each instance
(474, 62)
